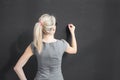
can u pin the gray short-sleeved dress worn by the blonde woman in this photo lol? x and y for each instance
(49, 60)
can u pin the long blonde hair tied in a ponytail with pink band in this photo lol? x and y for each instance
(43, 27)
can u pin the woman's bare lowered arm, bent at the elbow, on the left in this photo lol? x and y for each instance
(21, 62)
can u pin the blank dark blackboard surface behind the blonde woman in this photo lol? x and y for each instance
(97, 32)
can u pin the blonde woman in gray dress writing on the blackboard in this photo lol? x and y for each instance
(47, 49)
